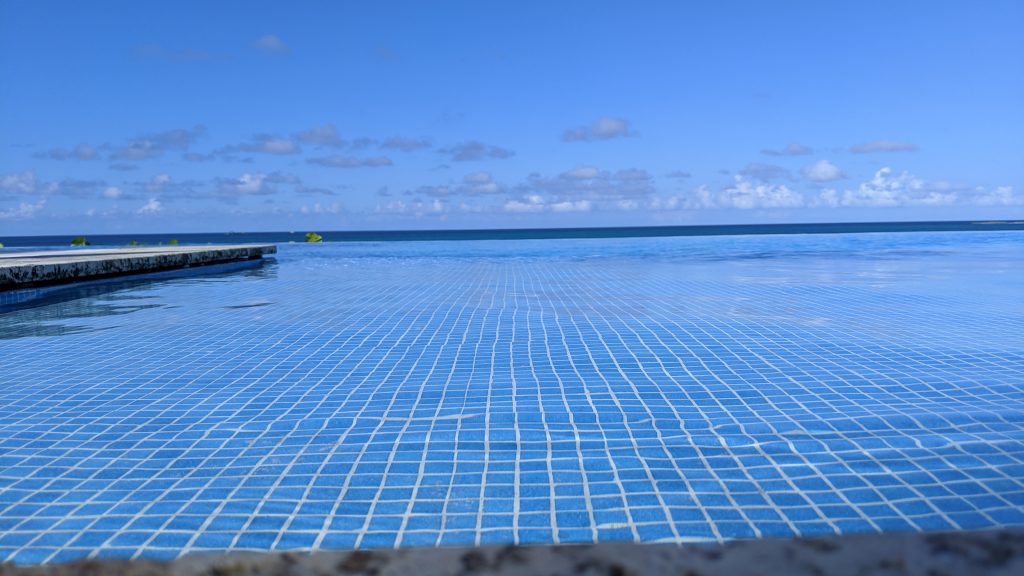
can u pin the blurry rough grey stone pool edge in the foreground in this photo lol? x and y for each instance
(996, 553)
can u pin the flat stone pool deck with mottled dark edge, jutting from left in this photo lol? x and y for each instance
(29, 270)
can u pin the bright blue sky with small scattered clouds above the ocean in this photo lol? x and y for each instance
(132, 117)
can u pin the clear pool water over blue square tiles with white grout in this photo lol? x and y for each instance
(423, 394)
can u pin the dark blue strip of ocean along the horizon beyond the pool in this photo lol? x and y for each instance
(514, 234)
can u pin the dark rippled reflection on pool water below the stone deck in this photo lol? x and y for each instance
(50, 315)
